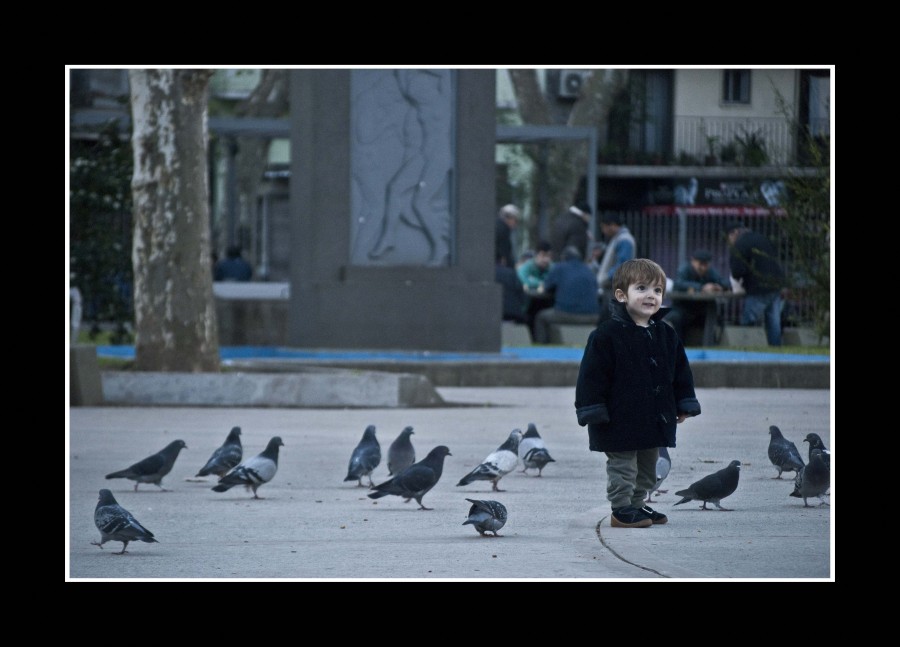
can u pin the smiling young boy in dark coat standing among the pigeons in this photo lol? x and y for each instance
(634, 386)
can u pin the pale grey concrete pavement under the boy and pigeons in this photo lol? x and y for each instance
(312, 525)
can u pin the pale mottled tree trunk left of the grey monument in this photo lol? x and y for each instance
(175, 317)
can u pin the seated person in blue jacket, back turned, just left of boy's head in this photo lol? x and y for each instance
(574, 286)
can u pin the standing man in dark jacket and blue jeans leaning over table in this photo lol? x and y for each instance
(754, 263)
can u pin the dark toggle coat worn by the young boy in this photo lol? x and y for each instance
(633, 383)
